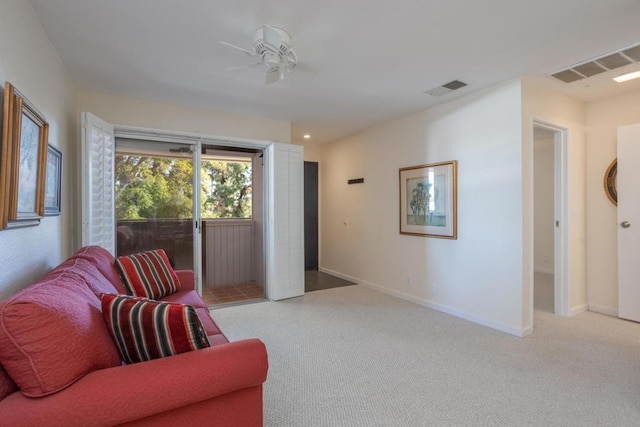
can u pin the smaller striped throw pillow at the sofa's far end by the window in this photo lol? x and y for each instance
(148, 274)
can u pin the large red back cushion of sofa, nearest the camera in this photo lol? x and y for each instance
(52, 334)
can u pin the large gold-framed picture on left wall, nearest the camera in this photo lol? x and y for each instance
(23, 158)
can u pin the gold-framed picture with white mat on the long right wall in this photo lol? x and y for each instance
(428, 200)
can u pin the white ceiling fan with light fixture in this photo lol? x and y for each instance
(272, 48)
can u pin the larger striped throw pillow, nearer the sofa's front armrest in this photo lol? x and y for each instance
(144, 329)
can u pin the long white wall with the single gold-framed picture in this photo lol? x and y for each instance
(479, 275)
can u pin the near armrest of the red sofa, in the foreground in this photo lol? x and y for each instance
(127, 393)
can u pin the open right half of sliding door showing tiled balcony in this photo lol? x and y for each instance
(232, 224)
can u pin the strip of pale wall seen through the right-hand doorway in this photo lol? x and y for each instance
(543, 205)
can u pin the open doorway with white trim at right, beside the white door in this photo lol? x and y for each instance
(549, 234)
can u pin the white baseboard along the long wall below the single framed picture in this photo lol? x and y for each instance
(433, 305)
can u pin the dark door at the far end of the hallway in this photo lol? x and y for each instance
(310, 215)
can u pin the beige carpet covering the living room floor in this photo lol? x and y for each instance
(352, 356)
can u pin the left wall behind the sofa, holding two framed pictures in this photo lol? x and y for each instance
(29, 62)
